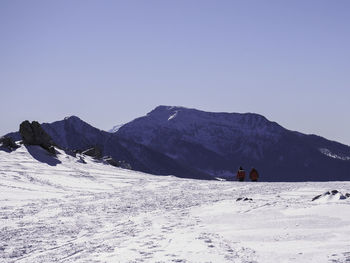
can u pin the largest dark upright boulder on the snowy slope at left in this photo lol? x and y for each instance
(34, 134)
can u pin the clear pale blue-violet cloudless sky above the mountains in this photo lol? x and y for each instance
(109, 62)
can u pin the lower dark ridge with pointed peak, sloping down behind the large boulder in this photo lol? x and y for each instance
(72, 133)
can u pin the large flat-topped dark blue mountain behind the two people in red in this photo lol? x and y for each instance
(218, 143)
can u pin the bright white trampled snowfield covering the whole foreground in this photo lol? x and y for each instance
(62, 210)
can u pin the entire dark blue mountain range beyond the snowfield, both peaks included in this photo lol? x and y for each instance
(204, 145)
